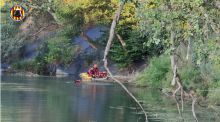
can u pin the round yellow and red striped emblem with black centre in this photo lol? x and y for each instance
(17, 13)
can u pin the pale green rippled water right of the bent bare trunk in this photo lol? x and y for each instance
(160, 108)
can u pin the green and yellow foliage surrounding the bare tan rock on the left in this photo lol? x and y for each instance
(73, 17)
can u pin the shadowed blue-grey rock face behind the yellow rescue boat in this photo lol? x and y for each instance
(87, 55)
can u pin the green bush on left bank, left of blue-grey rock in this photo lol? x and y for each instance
(55, 51)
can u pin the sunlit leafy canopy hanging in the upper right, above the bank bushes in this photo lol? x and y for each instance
(186, 16)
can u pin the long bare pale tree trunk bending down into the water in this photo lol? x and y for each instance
(110, 39)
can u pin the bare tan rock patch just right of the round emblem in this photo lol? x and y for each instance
(38, 24)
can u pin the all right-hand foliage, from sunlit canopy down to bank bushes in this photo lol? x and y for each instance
(197, 21)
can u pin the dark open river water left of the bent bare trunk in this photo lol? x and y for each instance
(27, 99)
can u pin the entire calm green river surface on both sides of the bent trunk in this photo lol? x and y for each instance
(51, 99)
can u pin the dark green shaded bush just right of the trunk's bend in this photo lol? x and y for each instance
(134, 50)
